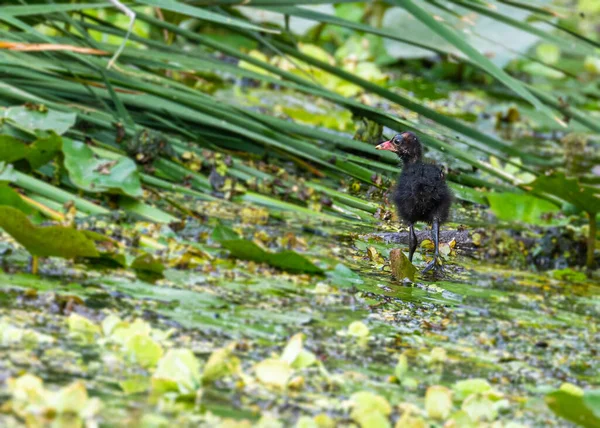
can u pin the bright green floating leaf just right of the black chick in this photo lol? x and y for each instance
(525, 208)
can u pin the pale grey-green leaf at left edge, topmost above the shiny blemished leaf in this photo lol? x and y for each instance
(36, 120)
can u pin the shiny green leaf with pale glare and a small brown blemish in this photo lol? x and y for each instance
(93, 174)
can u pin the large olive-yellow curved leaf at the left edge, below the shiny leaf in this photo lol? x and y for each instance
(46, 241)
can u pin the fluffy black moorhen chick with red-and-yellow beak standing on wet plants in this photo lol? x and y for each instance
(421, 193)
